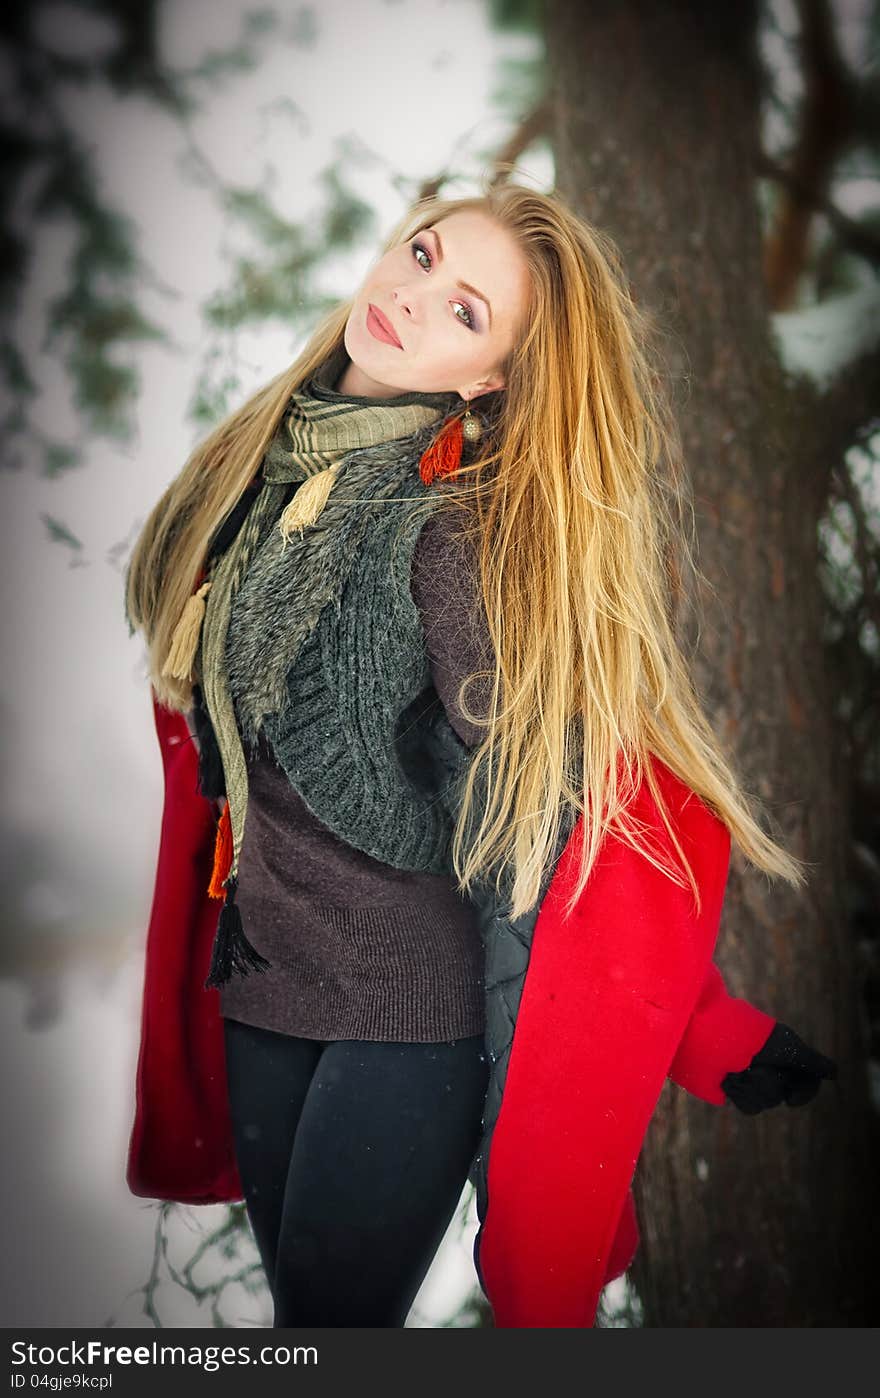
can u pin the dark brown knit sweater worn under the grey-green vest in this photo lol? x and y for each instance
(360, 950)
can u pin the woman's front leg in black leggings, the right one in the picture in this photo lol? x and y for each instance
(385, 1140)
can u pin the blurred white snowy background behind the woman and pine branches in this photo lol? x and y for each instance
(413, 83)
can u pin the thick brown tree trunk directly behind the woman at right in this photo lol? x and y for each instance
(770, 1220)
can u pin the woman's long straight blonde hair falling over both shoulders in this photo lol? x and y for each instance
(577, 511)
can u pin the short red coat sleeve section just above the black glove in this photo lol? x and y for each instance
(723, 1035)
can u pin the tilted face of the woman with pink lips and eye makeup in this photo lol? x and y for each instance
(450, 338)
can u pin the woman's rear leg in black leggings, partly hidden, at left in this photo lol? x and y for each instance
(269, 1077)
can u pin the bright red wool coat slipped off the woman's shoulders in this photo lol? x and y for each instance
(616, 1000)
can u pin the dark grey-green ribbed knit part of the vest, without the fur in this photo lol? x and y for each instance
(353, 687)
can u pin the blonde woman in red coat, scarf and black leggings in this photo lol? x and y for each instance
(415, 600)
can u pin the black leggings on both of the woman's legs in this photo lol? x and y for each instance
(353, 1157)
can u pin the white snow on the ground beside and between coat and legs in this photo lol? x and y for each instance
(76, 1245)
